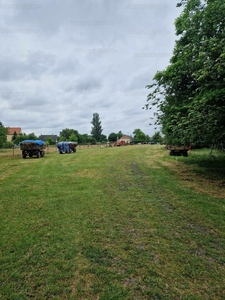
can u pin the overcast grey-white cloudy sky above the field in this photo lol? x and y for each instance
(61, 61)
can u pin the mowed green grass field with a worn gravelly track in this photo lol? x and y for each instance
(120, 223)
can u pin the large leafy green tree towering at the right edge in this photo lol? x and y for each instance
(190, 92)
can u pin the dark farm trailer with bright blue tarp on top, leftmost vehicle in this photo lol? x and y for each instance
(32, 148)
